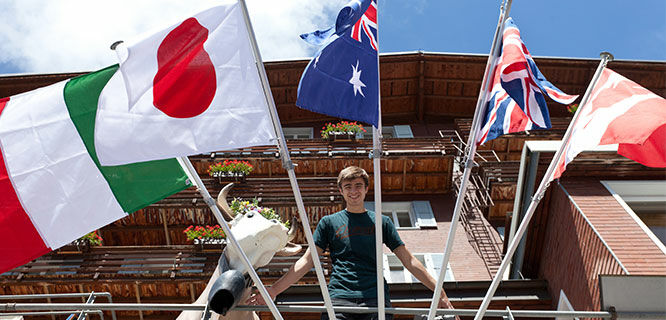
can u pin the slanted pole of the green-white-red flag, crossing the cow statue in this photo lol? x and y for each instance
(192, 173)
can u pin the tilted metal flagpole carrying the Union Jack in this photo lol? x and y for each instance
(468, 160)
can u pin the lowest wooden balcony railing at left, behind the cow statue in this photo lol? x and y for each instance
(141, 263)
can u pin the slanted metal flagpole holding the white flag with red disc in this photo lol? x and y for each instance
(288, 165)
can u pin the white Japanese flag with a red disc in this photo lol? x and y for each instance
(189, 89)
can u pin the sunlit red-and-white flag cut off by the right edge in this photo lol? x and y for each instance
(621, 112)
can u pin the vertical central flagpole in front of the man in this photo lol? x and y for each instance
(377, 168)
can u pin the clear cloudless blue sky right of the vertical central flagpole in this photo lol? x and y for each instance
(631, 30)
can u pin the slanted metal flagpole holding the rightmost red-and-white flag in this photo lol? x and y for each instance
(545, 182)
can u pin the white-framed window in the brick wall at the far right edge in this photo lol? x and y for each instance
(645, 201)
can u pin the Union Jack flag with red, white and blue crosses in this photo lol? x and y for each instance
(517, 98)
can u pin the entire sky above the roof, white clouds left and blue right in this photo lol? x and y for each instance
(42, 36)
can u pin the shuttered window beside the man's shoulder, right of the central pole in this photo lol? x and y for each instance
(407, 215)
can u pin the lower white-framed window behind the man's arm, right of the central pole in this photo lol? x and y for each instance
(395, 272)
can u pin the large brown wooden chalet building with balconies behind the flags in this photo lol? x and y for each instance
(582, 228)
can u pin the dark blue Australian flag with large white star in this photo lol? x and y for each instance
(343, 80)
